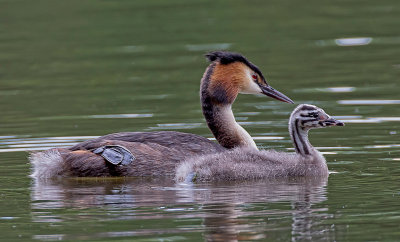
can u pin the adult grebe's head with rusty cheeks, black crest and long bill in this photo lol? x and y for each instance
(231, 73)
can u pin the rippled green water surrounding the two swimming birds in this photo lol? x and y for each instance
(71, 70)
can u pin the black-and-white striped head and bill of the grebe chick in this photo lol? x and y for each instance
(312, 117)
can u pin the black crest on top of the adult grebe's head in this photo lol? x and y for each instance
(225, 58)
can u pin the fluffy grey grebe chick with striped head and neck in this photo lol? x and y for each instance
(248, 163)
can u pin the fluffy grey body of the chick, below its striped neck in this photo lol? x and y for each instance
(250, 164)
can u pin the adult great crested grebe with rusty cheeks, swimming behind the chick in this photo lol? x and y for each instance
(158, 153)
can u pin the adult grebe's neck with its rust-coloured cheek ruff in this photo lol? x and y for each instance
(219, 88)
